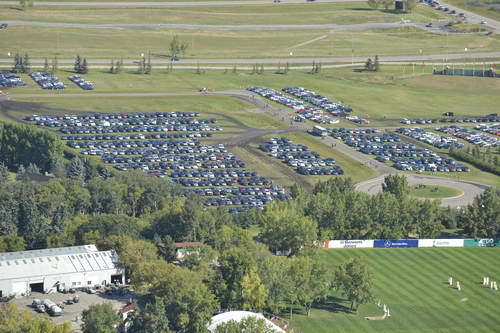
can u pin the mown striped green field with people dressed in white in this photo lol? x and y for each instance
(412, 282)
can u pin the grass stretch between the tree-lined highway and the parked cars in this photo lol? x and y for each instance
(383, 97)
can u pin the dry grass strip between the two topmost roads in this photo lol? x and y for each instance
(270, 14)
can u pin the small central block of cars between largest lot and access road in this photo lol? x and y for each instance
(299, 157)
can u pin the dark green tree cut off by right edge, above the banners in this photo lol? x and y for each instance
(482, 217)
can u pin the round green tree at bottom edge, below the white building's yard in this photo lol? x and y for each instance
(100, 318)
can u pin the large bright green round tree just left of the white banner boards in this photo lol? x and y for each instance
(284, 229)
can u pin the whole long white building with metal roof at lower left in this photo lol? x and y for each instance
(50, 269)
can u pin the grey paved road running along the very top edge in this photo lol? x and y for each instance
(170, 4)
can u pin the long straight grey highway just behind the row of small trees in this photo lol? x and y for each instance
(325, 60)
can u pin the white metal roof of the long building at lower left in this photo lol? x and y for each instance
(40, 263)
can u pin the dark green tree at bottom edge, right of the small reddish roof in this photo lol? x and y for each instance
(150, 316)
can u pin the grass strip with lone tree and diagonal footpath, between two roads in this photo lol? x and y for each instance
(40, 42)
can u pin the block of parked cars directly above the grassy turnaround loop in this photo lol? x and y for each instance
(389, 147)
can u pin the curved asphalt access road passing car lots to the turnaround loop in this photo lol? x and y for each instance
(470, 189)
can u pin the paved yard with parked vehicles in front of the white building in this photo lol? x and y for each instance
(70, 312)
